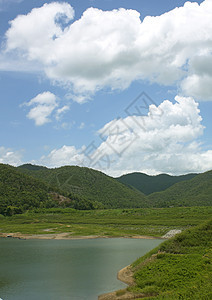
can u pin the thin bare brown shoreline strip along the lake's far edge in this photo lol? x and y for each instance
(67, 236)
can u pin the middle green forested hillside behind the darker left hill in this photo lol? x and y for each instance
(88, 184)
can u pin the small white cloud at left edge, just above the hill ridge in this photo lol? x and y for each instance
(8, 156)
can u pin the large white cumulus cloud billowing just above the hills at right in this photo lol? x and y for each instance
(164, 141)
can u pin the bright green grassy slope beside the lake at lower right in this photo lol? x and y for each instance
(179, 268)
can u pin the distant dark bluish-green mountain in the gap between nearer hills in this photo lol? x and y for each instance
(150, 184)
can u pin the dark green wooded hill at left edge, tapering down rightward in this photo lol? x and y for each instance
(20, 192)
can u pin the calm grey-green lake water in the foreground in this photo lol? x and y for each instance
(65, 269)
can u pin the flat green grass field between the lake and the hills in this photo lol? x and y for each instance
(116, 222)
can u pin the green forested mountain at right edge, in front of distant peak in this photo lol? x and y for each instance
(194, 192)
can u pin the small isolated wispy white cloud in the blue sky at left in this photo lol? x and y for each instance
(43, 106)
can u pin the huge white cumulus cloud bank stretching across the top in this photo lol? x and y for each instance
(113, 48)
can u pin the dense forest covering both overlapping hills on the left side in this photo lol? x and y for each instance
(79, 188)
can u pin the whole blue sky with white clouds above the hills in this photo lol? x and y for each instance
(115, 85)
